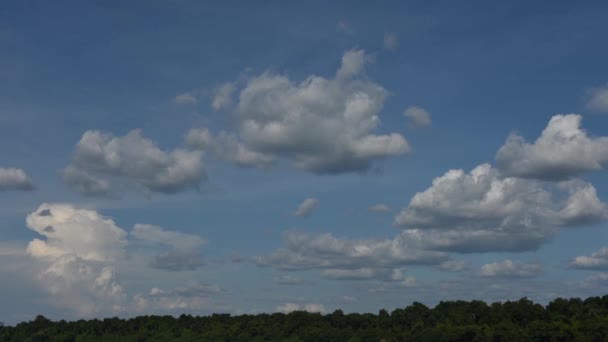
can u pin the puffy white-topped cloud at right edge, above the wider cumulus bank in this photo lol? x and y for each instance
(563, 150)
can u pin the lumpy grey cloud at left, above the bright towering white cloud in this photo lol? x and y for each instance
(100, 159)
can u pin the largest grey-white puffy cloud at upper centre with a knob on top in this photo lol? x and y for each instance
(321, 125)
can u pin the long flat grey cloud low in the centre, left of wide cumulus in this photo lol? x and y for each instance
(359, 257)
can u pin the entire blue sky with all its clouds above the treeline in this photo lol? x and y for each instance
(168, 157)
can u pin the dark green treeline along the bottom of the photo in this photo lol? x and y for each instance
(522, 320)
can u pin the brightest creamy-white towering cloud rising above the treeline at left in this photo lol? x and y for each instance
(76, 254)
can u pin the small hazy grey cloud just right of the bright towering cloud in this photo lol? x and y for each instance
(182, 251)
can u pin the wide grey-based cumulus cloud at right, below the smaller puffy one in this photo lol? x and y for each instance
(482, 211)
